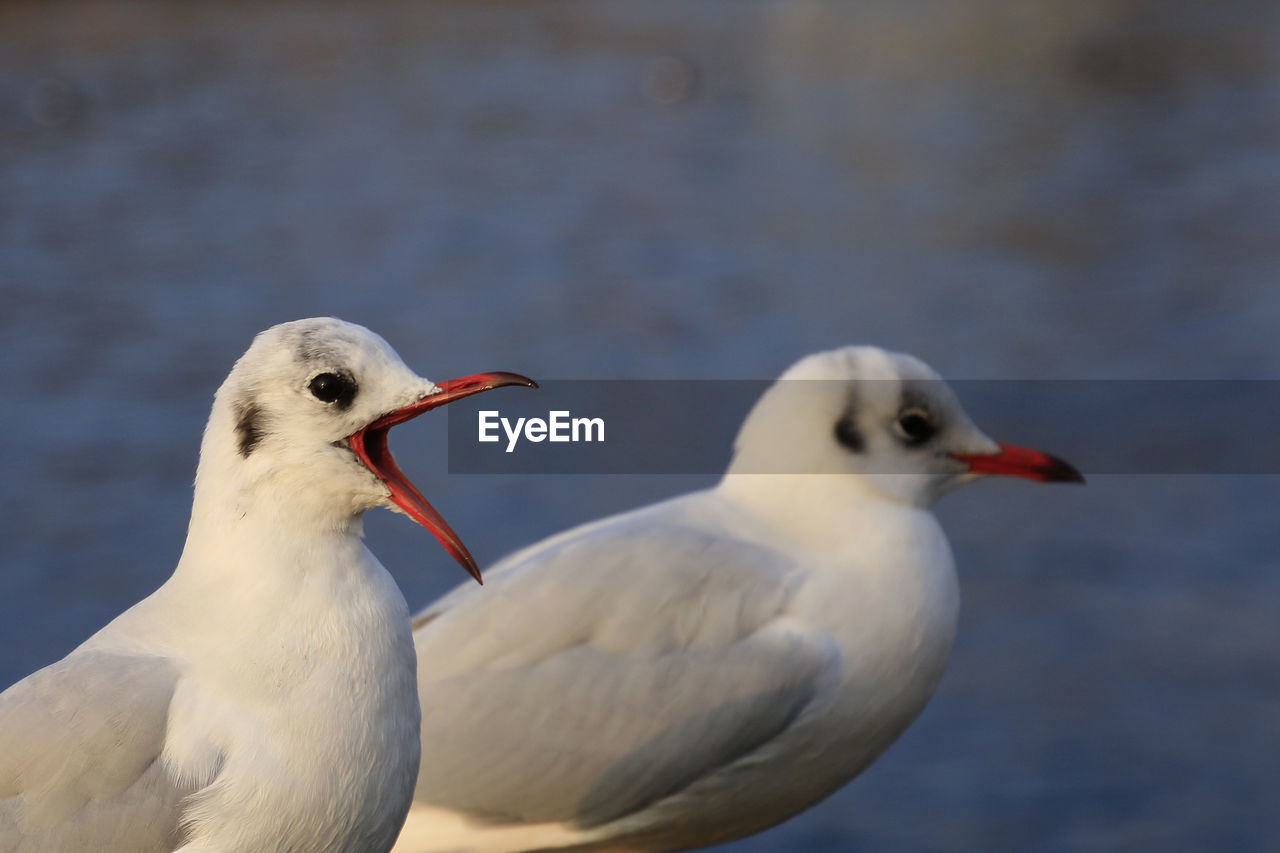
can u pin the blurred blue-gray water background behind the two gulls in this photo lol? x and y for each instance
(642, 189)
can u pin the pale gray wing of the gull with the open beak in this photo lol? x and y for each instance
(80, 758)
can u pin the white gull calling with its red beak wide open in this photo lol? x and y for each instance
(264, 699)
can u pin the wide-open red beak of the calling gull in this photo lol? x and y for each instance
(369, 445)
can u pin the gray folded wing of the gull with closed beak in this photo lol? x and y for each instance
(595, 677)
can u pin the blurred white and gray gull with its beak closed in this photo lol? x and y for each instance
(706, 668)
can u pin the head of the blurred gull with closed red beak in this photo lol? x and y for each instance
(885, 418)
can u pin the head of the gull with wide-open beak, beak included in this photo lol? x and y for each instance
(299, 430)
